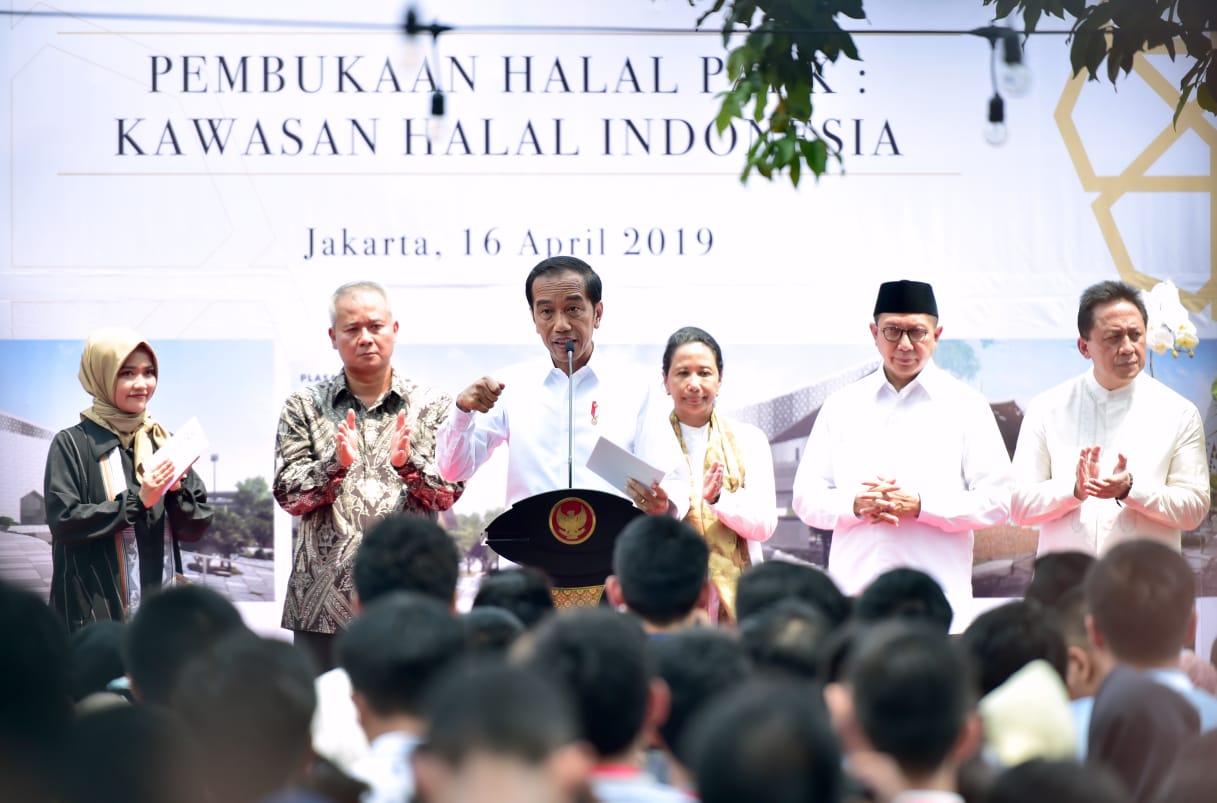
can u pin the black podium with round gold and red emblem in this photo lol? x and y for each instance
(569, 535)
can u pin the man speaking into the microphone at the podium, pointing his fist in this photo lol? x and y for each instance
(528, 406)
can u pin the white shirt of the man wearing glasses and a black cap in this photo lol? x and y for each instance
(936, 437)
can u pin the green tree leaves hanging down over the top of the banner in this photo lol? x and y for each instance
(787, 44)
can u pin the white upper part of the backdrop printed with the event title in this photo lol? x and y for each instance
(121, 204)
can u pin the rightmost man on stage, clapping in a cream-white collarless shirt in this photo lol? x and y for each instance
(1112, 454)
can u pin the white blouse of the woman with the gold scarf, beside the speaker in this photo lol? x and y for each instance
(751, 510)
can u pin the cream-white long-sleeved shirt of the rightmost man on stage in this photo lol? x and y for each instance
(1153, 426)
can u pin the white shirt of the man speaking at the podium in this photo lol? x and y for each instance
(532, 418)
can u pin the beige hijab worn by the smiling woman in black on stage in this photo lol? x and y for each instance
(104, 355)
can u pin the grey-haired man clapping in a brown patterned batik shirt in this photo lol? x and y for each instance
(350, 452)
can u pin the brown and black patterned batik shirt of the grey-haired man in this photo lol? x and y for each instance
(337, 506)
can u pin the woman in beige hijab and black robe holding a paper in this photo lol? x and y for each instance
(115, 512)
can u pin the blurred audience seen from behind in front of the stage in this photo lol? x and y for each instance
(1083, 692)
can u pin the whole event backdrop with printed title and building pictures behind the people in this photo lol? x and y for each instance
(209, 176)
